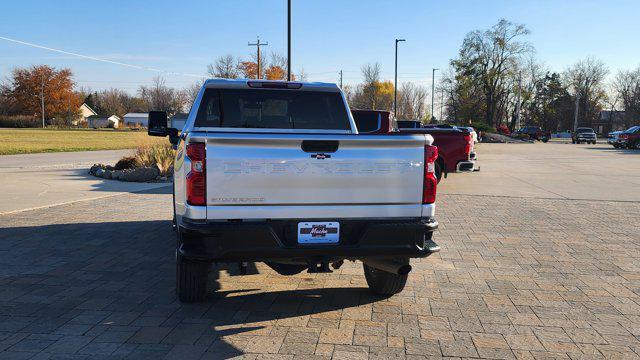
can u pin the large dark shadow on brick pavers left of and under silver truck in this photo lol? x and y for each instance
(122, 274)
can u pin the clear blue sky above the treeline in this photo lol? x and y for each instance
(328, 35)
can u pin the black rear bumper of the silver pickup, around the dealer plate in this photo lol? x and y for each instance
(277, 240)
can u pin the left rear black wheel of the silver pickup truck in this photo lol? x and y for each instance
(191, 278)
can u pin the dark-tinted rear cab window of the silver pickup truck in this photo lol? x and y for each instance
(272, 109)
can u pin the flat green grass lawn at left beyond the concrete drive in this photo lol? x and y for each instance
(23, 141)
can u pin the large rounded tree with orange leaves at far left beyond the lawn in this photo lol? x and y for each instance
(26, 87)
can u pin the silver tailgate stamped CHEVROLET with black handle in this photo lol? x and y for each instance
(265, 176)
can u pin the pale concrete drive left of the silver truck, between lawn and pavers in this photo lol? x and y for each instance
(31, 181)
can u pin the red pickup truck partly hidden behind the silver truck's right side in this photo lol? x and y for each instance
(455, 145)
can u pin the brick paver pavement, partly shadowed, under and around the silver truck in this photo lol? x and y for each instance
(517, 278)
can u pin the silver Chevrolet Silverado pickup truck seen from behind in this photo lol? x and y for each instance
(276, 172)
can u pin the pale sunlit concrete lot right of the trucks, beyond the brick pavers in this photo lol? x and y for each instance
(552, 170)
